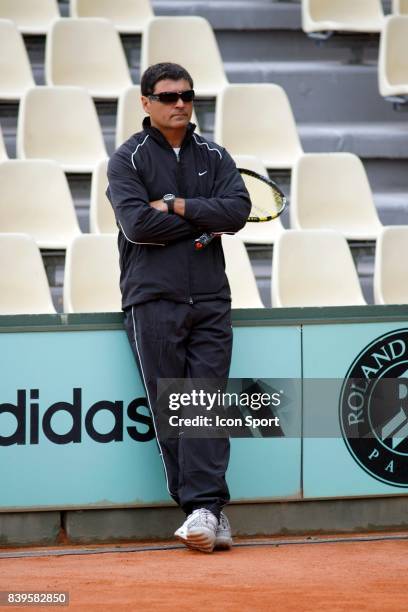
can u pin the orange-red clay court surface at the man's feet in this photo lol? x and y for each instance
(352, 576)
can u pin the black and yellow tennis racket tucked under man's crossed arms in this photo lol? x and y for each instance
(267, 210)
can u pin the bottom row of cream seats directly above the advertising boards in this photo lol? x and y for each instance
(309, 268)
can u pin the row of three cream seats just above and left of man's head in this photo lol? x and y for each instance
(88, 53)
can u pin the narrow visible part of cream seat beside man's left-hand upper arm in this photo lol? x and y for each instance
(101, 217)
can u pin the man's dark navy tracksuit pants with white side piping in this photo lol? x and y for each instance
(176, 340)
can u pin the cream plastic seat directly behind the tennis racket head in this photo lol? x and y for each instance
(257, 233)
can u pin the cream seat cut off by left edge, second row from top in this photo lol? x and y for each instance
(15, 71)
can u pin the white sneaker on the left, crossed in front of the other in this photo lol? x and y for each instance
(199, 530)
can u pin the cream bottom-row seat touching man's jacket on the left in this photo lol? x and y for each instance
(91, 282)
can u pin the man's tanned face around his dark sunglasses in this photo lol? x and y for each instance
(169, 116)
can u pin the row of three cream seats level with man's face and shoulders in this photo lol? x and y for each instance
(61, 123)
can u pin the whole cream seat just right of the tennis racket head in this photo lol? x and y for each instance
(331, 191)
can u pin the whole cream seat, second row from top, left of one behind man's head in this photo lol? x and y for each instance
(87, 53)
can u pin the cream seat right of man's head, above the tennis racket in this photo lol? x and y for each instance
(269, 132)
